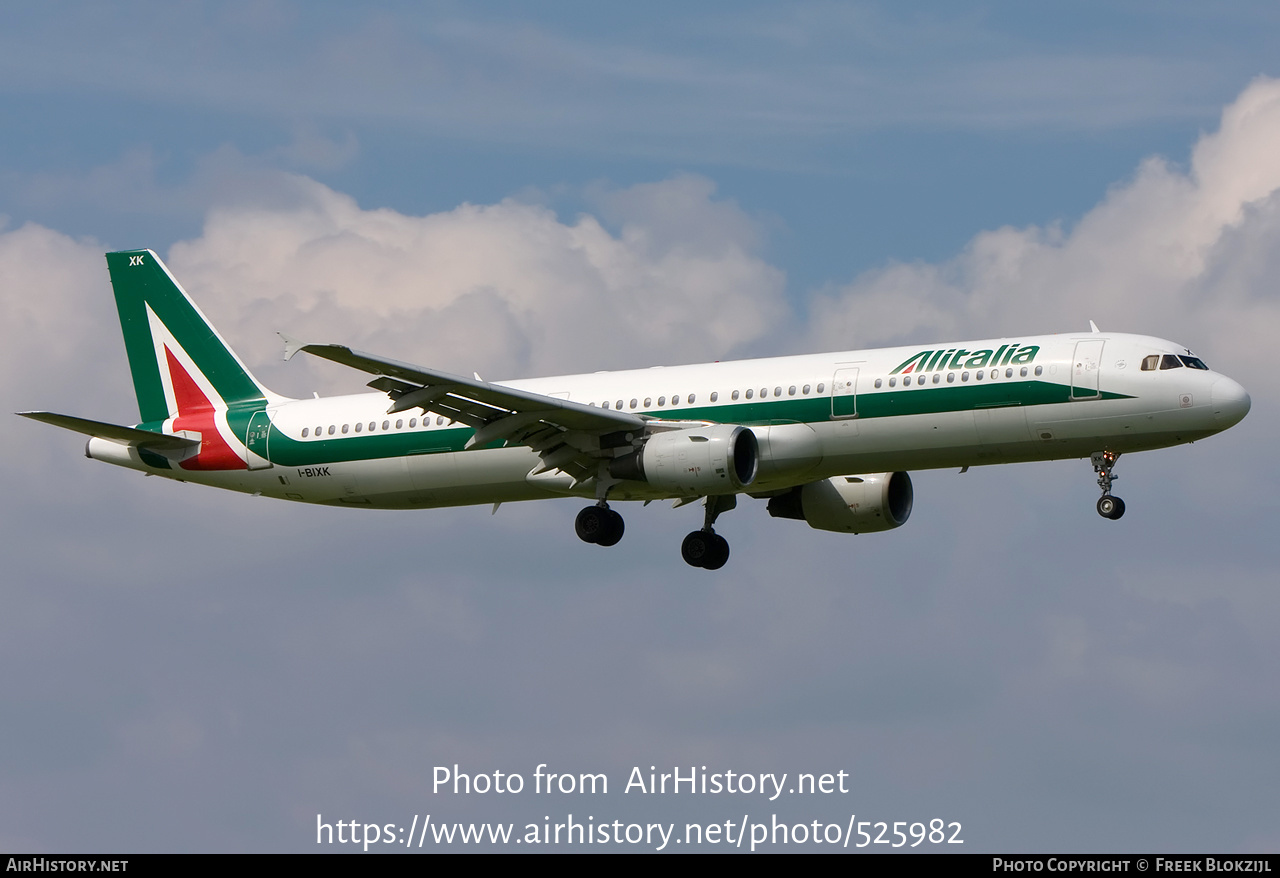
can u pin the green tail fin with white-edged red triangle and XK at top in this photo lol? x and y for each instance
(180, 363)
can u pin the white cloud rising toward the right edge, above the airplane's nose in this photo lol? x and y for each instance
(1186, 254)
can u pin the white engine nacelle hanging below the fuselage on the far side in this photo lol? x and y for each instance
(849, 505)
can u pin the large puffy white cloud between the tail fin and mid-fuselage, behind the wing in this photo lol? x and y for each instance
(508, 290)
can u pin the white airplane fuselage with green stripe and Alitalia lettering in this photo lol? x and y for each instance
(816, 417)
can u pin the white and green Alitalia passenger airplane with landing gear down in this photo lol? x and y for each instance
(826, 438)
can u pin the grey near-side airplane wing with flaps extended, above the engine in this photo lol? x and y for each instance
(568, 436)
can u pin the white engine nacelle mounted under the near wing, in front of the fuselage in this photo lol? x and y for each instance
(708, 460)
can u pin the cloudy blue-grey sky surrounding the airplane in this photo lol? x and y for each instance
(518, 193)
